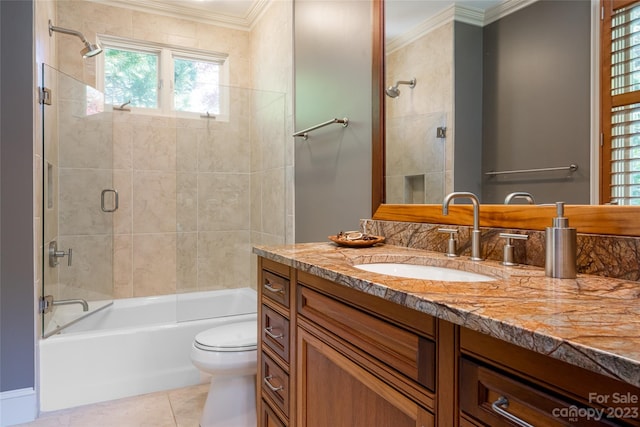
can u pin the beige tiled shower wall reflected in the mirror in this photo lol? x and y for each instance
(413, 117)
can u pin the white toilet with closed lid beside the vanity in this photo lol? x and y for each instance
(228, 353)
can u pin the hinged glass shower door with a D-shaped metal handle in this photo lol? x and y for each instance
(79, 201)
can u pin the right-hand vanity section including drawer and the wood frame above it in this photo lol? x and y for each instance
(501, 382)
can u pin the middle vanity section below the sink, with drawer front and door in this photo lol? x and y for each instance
(355, 368)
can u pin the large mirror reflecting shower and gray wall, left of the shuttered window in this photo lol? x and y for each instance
(478, 92)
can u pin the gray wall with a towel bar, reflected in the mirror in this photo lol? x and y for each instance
(536, 101)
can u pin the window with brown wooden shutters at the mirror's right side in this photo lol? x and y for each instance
(620, 123)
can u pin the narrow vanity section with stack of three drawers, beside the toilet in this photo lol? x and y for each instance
(276, 346)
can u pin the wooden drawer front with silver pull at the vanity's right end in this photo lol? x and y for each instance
(493, 398)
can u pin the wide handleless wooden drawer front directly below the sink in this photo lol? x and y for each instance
(405, 351)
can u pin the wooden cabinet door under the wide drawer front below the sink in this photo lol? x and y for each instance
(333, 391)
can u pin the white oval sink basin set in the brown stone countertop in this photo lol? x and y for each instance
(427, 272)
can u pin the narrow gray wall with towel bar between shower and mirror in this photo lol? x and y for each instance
(332, 59)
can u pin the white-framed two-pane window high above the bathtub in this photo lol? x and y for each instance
(162, 79)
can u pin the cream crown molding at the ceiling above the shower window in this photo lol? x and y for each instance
(181, 11)
